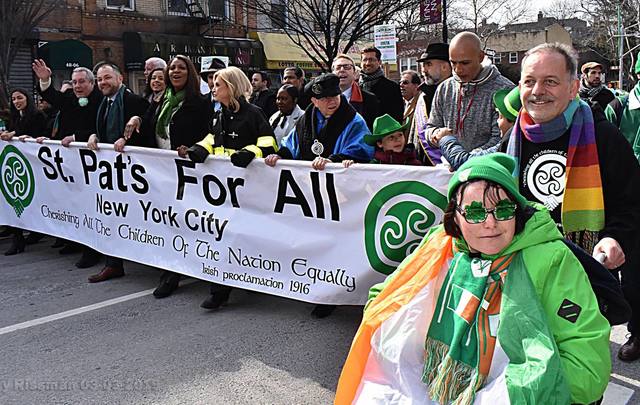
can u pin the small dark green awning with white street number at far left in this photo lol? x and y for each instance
(66, 54)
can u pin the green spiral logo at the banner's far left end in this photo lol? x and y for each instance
(16, 181)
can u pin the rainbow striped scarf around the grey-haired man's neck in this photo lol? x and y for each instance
(583, 201)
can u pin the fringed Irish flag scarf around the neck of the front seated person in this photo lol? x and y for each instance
(462, 336)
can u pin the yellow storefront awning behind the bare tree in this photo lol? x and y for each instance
(280, 52)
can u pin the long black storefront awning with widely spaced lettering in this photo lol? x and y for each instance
(139, 46)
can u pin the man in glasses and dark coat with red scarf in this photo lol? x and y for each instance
(362, 101)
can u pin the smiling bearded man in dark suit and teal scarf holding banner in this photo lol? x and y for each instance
(117, 107)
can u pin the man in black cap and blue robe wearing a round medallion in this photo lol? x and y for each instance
(330, 131)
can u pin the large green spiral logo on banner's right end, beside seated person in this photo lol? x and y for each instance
(397, 219)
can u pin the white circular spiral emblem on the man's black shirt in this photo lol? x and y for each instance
(546, 179)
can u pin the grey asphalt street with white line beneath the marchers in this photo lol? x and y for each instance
(65, 341)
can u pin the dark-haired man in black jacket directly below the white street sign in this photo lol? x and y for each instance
(372, 80)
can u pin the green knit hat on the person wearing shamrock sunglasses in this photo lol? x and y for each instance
(496, 167)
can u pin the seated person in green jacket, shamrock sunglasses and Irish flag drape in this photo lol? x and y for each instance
(491, 308)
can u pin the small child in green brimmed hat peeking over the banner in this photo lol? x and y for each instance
(390, 143)
